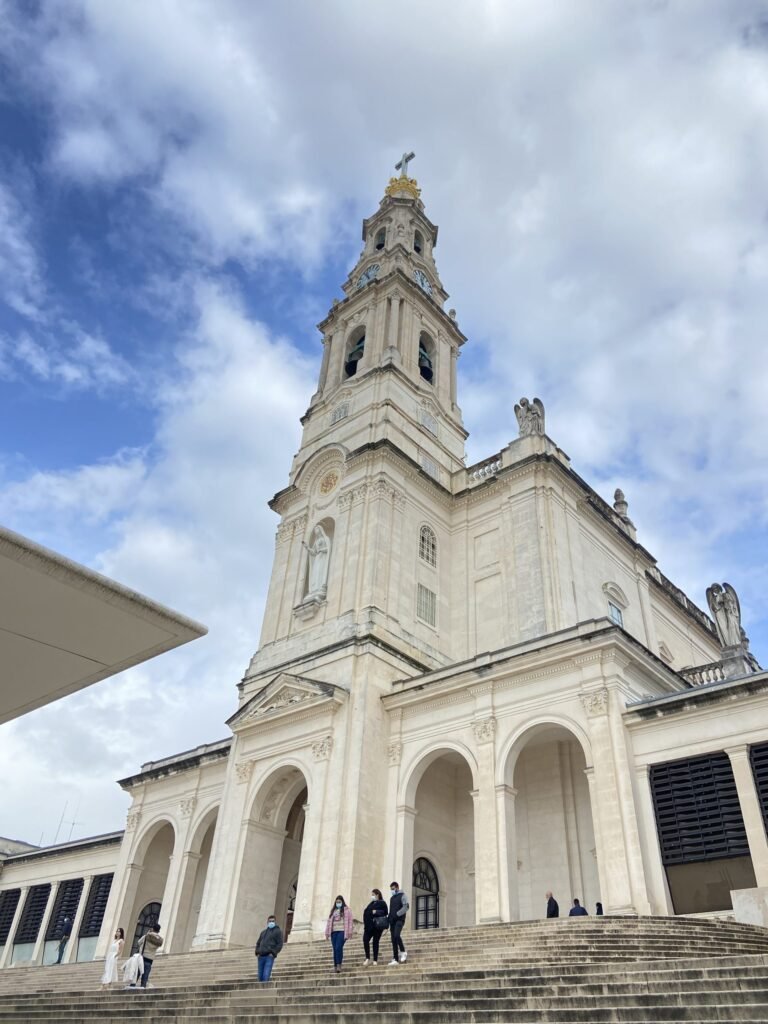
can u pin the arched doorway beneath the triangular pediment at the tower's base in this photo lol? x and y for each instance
(272, 855)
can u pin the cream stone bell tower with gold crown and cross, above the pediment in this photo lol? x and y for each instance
(386, 409)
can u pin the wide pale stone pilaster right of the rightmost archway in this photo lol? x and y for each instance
(620, 861)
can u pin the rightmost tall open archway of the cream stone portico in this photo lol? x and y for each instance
(554, 839)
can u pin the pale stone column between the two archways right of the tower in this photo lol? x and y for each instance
(486, 825)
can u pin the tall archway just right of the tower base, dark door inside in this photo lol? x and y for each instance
(442, 785)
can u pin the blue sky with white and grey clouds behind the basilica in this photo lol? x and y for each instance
(182, 189)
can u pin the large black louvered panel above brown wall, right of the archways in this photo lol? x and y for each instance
(699, 817)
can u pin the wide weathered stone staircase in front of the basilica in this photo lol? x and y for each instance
(573, 970)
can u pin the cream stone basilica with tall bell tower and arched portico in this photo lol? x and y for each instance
(475, 680)
